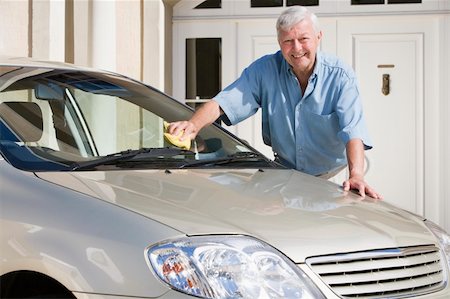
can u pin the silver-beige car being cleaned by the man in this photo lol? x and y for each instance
(97, 201)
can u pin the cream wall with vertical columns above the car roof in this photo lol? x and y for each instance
(123, 36)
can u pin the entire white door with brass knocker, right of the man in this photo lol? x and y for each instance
(402, 164)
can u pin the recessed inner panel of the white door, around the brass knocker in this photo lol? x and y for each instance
(394, 117)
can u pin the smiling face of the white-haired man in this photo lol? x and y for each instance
(299, 46)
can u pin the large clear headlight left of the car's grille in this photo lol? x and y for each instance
(228, 267)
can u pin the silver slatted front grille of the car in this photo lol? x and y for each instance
(392, 273)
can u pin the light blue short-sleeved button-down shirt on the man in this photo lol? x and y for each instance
(307, 131)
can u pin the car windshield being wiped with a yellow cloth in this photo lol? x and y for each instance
(84, 120)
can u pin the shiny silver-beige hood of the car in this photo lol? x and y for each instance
(298, 214)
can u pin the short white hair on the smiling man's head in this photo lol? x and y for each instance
(294, 15)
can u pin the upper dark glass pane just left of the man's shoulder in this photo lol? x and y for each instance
(203, 67)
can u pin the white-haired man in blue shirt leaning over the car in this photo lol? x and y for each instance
(311, 109)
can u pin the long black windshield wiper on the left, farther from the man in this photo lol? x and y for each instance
(166, 152)
